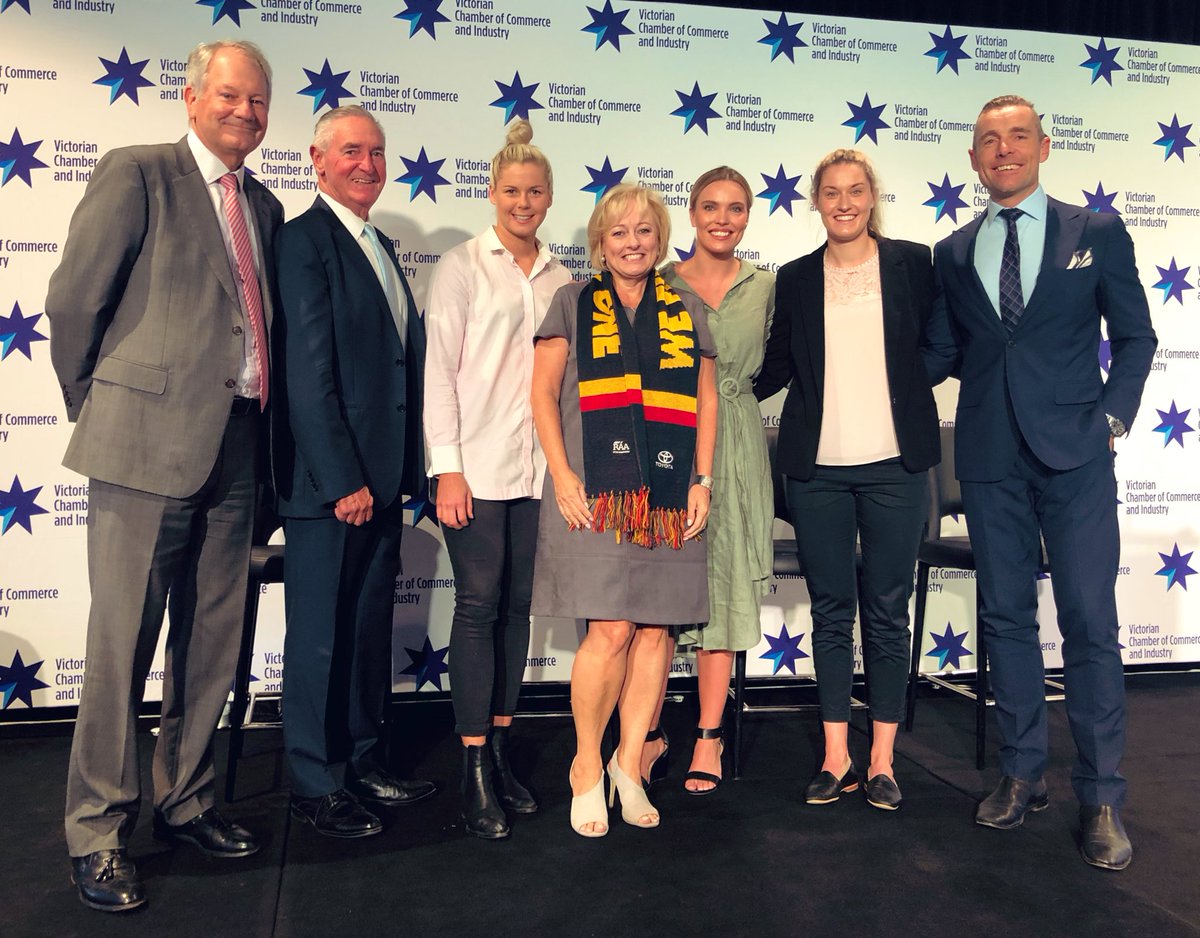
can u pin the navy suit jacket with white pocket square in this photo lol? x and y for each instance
(1048, 370)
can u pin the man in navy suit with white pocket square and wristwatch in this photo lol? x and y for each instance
(1022, 294)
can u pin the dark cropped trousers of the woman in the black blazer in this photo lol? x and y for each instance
(883, 507)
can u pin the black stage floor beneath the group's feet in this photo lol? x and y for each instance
(753, 859)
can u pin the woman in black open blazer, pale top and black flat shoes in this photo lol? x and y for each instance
(857, 434)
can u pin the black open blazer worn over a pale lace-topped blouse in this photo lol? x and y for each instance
(796, 354)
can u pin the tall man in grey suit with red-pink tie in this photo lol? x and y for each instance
(160, 311)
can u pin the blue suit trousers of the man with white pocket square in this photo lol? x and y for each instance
(1076, 512)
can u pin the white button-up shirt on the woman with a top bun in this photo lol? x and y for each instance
(481, 318)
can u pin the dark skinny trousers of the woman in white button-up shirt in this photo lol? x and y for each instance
(493, 561)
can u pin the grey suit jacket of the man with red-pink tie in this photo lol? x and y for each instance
(146, 324)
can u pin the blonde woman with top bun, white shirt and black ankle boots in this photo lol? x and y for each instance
(487, 299)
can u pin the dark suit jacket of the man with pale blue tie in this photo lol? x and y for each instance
(349, 405)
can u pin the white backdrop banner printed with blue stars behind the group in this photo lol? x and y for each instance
(621, 92)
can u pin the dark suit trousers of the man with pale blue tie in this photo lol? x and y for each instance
(340, 585)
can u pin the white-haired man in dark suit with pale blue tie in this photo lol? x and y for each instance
(347, 446)
